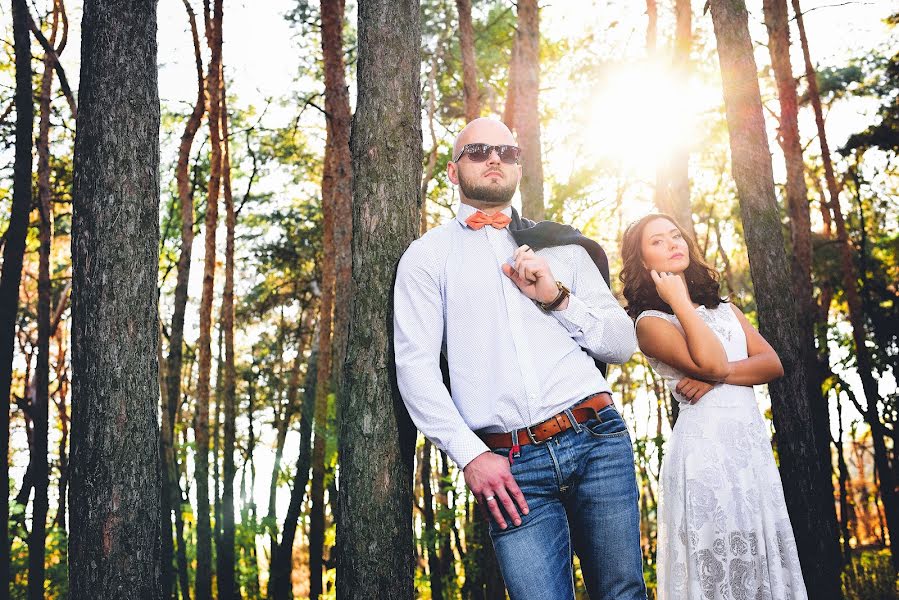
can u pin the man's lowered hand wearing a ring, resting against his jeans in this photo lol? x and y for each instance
(490, 479)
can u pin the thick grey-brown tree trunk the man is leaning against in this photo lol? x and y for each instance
(374, 533)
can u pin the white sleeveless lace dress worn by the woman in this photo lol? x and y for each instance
(724, 531)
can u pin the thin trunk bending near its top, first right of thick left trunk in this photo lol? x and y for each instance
(176, 338)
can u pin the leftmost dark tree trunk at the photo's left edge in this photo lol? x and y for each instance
(13, 254)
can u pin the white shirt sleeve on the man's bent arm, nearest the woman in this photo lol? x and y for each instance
(593, 317)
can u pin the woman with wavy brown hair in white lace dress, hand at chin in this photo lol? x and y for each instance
(724, 531)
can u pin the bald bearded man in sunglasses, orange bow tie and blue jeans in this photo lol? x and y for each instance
(529, 416)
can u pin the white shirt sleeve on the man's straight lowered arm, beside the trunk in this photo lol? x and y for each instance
(418, 337)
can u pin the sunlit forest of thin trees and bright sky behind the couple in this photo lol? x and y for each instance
(620, 107)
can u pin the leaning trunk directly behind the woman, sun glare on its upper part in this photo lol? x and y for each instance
(809, 497)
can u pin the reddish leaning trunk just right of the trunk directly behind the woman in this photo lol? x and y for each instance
(777, 23)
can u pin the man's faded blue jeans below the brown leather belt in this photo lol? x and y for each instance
(581, 490)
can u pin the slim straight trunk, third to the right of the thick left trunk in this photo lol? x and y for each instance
(227, 587)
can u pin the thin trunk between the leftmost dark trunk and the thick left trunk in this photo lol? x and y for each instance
(40, 409)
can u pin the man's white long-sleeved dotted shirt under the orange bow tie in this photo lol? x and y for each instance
(511, 364)
